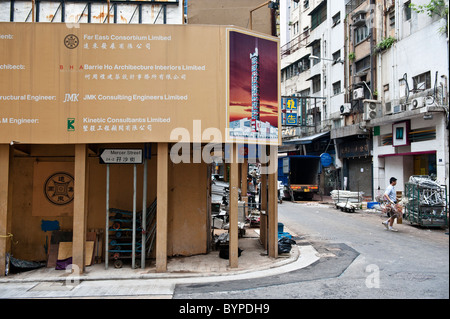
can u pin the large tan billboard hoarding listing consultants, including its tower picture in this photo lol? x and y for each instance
(108, 83)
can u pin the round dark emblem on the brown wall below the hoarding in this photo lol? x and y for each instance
(58, 188)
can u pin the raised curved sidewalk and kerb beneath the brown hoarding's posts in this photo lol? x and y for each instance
(253, 263)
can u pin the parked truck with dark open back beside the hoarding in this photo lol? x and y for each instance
(299, 175)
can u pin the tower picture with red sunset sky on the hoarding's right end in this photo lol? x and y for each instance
(253, 103)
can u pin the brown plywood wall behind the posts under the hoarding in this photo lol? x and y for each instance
(187, 201)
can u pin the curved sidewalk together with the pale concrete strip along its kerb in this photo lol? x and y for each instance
(98, 282)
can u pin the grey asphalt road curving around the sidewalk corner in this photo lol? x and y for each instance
(360, 259)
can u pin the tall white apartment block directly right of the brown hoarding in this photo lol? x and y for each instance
(313, 69)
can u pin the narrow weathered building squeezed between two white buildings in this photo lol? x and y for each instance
(352, 140)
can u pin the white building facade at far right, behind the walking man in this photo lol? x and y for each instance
(413, 83)
